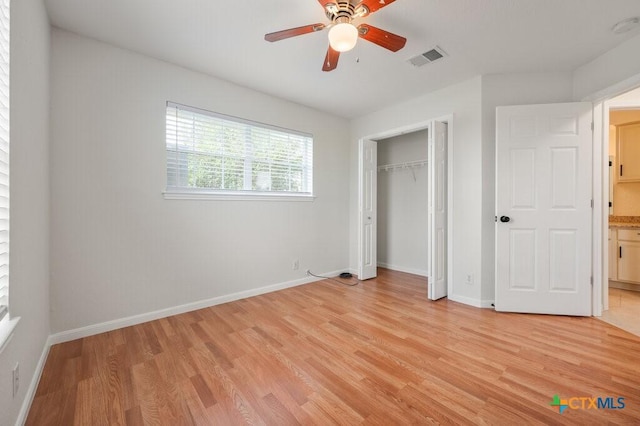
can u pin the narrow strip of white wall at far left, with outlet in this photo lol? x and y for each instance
(29, 286)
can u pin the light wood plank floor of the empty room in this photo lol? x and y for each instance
(324, 353)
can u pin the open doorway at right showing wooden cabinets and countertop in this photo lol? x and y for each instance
(621, 251)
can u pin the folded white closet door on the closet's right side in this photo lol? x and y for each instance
(437, 172)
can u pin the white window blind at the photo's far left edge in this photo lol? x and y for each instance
(4, 158)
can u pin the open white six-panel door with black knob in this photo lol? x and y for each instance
(543, 208)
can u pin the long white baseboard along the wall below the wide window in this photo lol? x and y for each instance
(90, 330)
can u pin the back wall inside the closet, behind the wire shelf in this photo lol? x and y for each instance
(403, 204)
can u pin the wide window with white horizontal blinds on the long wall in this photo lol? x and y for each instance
(212, 154)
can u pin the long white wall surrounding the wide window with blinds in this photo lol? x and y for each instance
(120, 249)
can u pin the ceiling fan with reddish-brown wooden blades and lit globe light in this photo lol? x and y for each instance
(343, 34)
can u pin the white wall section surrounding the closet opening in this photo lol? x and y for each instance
(463, 100)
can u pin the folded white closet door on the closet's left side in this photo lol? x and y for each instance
(368, 191)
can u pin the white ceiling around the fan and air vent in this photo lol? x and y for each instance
(226, 39)
